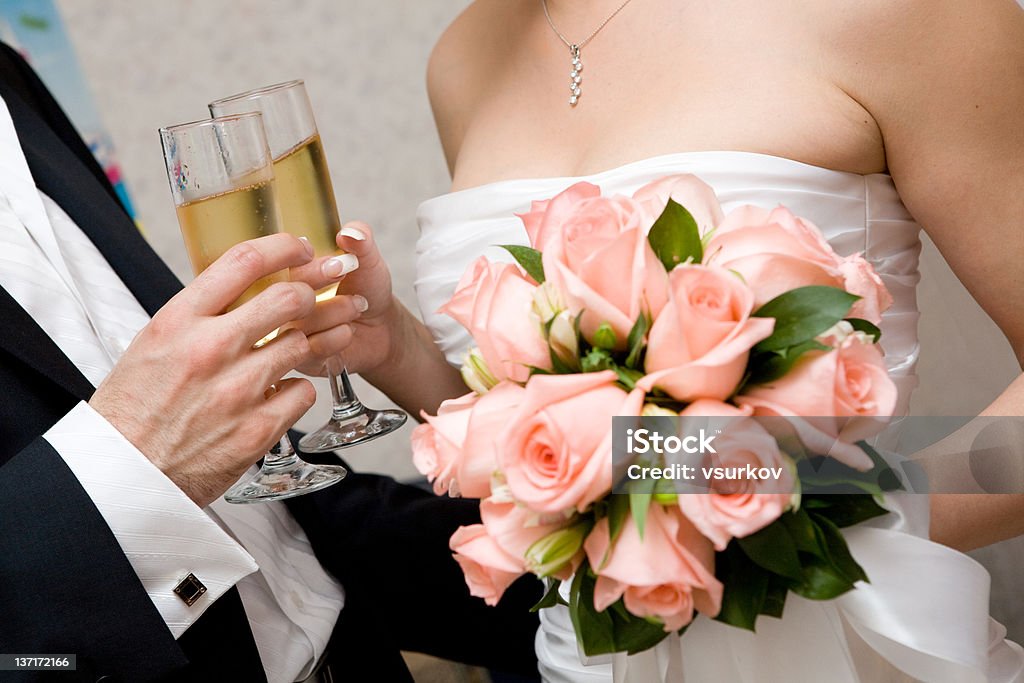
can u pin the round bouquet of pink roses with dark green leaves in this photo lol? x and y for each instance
(661, 306)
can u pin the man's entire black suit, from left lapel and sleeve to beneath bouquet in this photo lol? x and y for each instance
(67, 588)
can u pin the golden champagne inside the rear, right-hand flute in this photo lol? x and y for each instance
(307, 199)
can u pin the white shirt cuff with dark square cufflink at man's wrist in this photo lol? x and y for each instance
(164, 535)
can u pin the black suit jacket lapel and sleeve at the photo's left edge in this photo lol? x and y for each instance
(65, 584)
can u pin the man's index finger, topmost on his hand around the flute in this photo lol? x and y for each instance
(222, 284)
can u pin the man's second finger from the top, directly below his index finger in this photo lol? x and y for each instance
(272, 309)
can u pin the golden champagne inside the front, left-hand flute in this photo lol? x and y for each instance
(215, 225)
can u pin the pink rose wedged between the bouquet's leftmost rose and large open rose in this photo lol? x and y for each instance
(489, 416)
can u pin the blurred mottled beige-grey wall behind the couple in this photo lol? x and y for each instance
(152, 64)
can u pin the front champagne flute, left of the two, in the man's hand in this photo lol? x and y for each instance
(223, 183)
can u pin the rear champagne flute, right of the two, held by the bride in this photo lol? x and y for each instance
(309, 209)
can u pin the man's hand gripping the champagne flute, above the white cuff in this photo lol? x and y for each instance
(189, 393)
